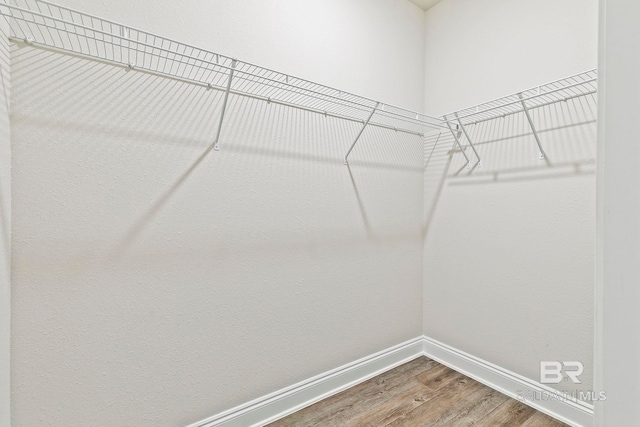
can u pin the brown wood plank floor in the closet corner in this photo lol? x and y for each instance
(419, 393)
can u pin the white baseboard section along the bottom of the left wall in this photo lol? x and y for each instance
(291, 399)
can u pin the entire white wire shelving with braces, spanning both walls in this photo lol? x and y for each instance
(46, 25)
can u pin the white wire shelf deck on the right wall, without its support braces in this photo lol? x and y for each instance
(571, 87)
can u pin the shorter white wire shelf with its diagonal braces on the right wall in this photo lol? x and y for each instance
(578, 85)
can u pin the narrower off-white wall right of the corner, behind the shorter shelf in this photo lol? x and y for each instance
(509, 248)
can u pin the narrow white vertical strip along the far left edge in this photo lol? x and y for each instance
(5, 229)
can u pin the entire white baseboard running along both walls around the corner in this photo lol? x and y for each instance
(281, 403)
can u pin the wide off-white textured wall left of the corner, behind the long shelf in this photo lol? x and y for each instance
(153, 285)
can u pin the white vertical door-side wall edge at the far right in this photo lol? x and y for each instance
(617, 340)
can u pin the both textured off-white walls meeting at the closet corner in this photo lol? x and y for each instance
(157, 283)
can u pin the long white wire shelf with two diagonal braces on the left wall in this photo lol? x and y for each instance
(47, 25)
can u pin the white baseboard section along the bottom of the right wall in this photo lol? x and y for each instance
(570, 411)
